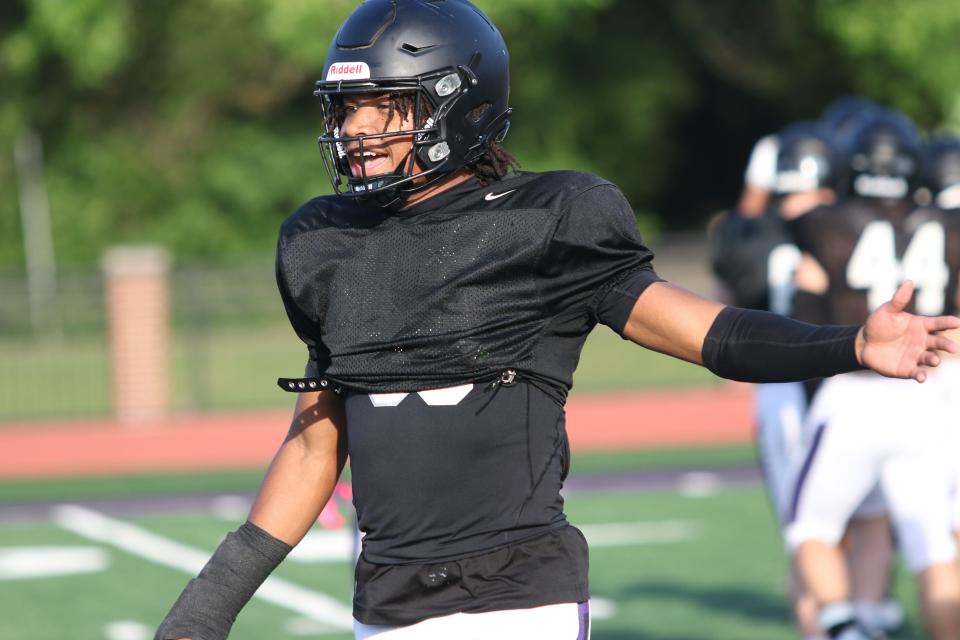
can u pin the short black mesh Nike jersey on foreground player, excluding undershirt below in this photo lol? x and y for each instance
(464, 285)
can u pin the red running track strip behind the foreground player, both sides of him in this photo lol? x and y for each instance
(716, 416)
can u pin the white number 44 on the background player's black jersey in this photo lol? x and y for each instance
(874, 265)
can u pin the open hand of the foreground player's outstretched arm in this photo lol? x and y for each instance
(898, 344)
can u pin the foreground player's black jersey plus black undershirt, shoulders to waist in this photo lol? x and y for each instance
(457, 491)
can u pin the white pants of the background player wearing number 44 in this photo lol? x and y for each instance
(872, 431)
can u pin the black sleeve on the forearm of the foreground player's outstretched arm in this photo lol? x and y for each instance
(757, 346)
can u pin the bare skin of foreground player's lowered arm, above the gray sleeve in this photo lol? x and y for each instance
(304, 470)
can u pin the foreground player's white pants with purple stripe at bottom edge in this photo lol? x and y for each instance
(568, 621)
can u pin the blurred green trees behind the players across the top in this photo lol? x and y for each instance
(192, 124)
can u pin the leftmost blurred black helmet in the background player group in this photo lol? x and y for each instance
(806, 159)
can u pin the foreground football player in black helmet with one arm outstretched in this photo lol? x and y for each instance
(444, 301)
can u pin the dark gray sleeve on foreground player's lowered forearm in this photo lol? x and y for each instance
(210, 603)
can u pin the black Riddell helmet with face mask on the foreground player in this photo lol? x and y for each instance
(445, 54)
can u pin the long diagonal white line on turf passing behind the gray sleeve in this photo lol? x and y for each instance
(94, 525)
